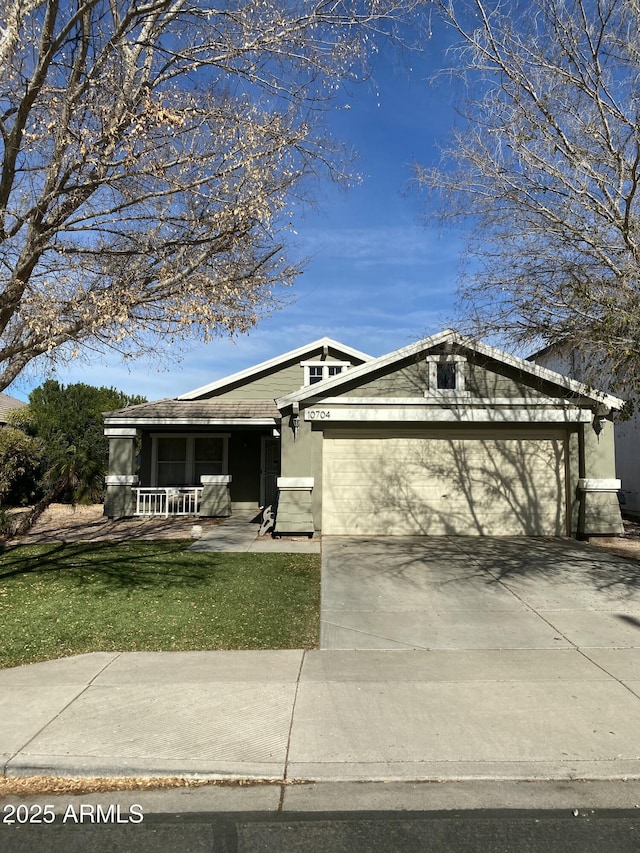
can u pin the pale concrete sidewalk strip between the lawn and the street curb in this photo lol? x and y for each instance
(327, 716)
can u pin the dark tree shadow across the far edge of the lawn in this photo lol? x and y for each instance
(166, 564)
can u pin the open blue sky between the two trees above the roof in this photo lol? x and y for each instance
(378, 278)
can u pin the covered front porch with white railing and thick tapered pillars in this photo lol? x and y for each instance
(192, 458)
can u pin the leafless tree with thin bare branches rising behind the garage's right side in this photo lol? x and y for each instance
(545, 170)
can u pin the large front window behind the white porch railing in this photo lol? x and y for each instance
(181, 460)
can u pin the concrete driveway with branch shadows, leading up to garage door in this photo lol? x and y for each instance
(478, 593)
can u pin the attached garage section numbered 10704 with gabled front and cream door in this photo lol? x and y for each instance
(448, 436)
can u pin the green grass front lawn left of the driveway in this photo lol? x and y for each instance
(66, 599)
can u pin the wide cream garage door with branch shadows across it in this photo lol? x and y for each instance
(425, 484)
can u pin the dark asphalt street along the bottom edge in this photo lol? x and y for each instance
(368, 832)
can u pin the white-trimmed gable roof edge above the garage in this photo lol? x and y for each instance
(464, 342)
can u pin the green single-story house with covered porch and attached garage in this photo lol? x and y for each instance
(445, 436)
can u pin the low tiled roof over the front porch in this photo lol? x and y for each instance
(205, 412)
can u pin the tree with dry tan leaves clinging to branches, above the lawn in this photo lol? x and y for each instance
(151, 151)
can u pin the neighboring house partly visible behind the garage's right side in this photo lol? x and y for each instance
(575, 364)
